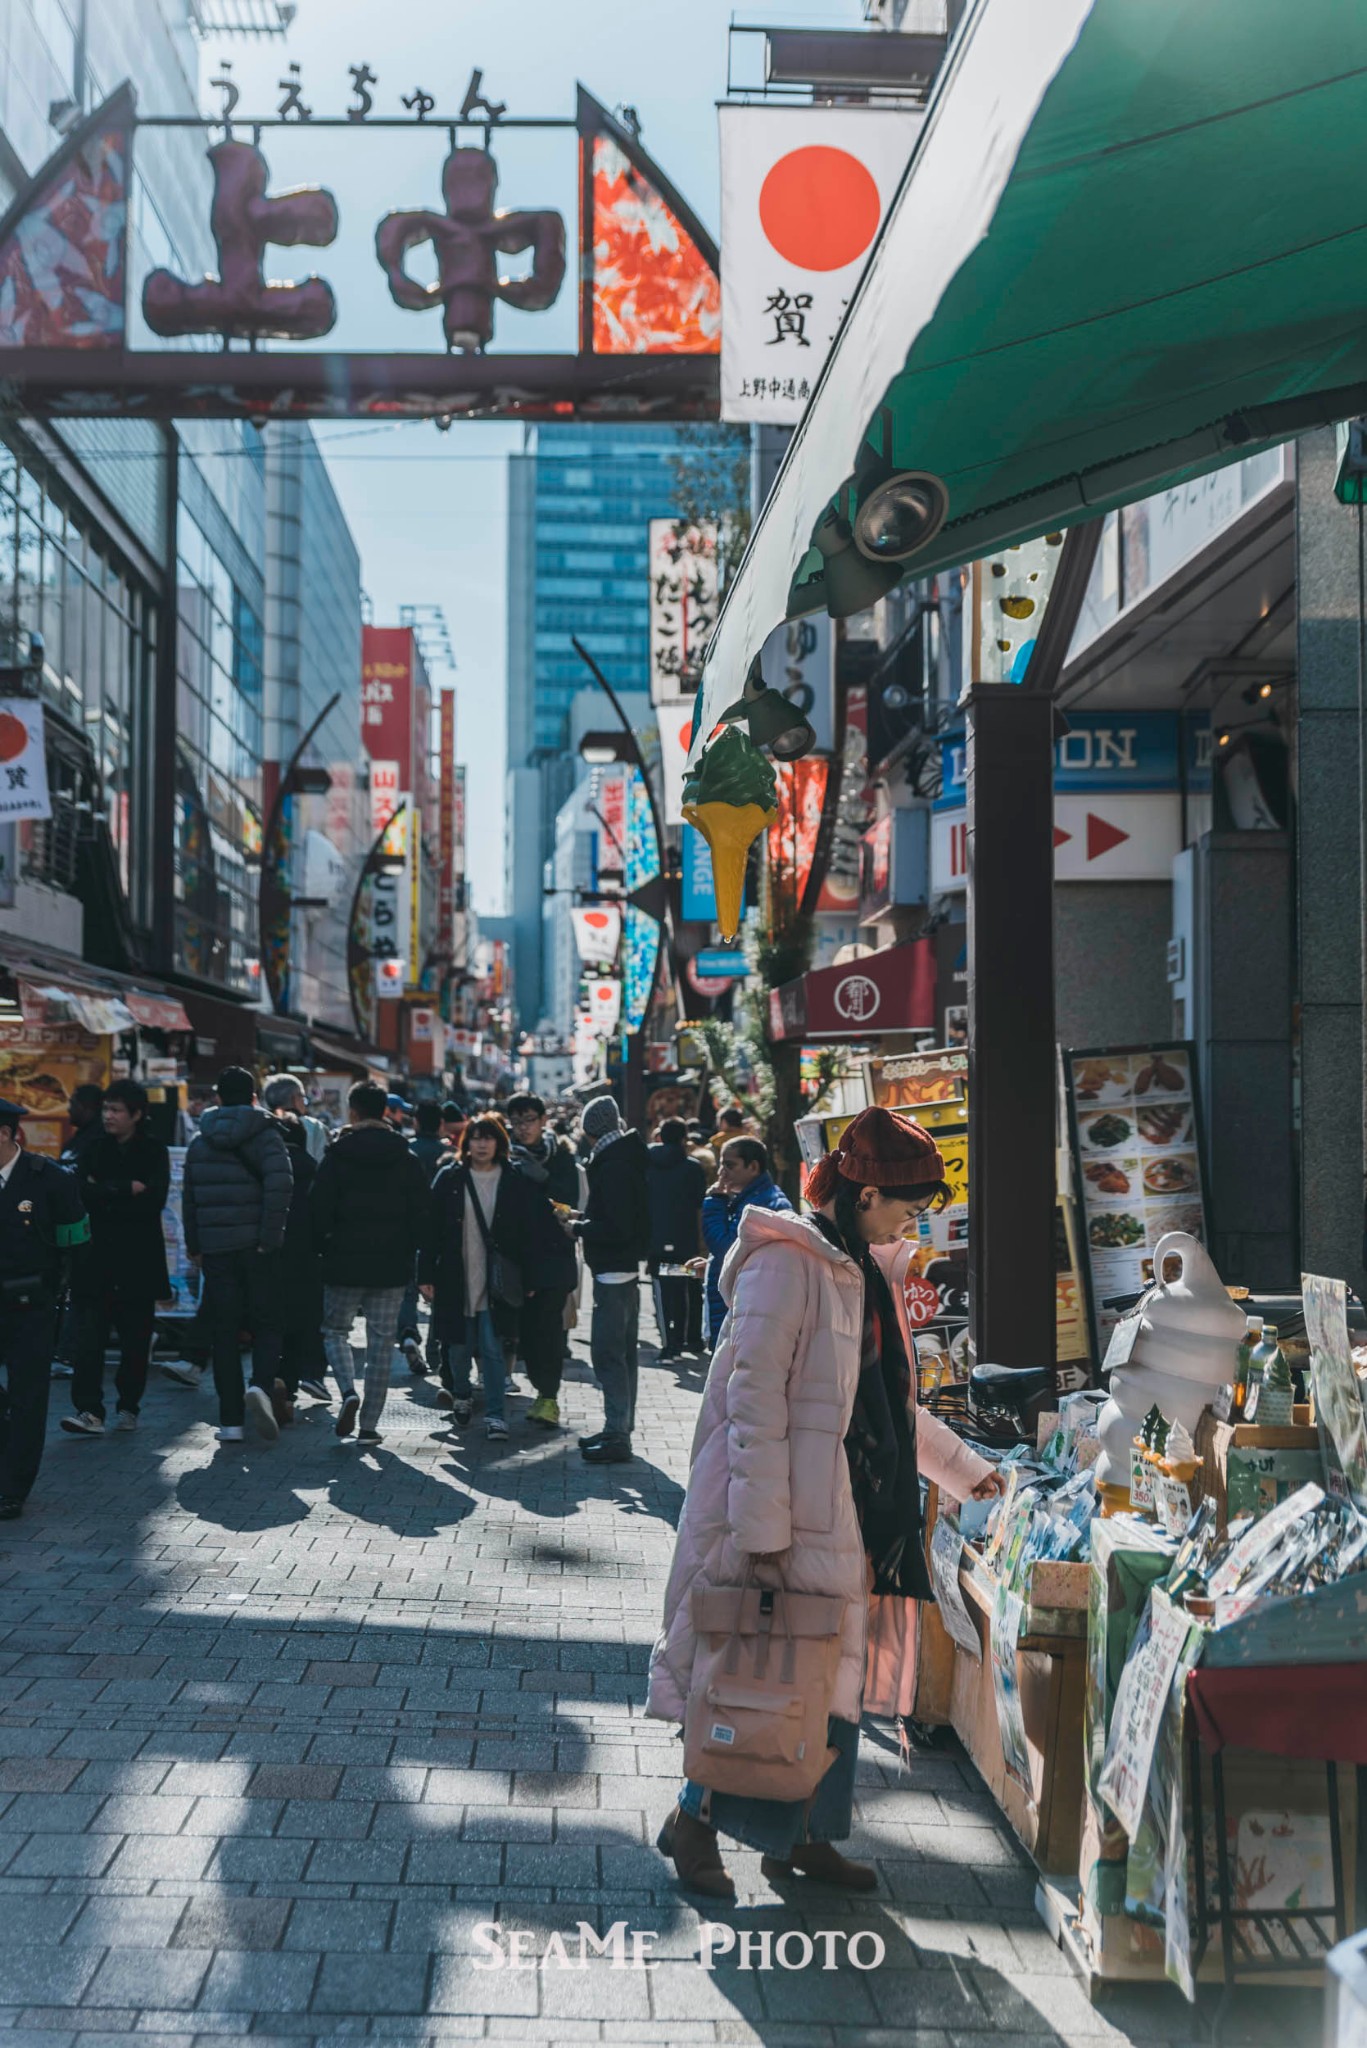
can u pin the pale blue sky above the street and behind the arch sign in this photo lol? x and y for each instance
(429, 509)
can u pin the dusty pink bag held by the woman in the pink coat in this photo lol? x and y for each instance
(759, 1701)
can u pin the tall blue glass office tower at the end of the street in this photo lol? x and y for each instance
(579, 509)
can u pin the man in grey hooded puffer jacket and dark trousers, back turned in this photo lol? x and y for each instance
(235, 1209)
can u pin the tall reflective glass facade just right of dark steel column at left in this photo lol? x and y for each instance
(218, 767)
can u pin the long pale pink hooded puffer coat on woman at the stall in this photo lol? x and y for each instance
(770, 1471)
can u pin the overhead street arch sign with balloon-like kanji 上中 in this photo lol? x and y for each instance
(647, 275)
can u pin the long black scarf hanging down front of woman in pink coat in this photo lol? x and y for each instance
(880, 1443)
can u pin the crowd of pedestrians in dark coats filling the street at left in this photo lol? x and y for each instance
(300, 1234)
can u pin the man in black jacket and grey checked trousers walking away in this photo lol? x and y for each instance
(370, 1215)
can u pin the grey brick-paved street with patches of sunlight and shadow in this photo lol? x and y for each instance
(282, 1725)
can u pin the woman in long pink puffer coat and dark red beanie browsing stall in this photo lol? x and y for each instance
(806, 1461)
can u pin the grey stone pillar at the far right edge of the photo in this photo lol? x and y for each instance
(1329, 869)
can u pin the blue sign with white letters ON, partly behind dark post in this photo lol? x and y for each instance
(1110, 755)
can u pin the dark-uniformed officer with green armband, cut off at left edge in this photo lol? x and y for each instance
(42, 1228)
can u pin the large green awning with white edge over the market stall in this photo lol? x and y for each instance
(1128, 249)
